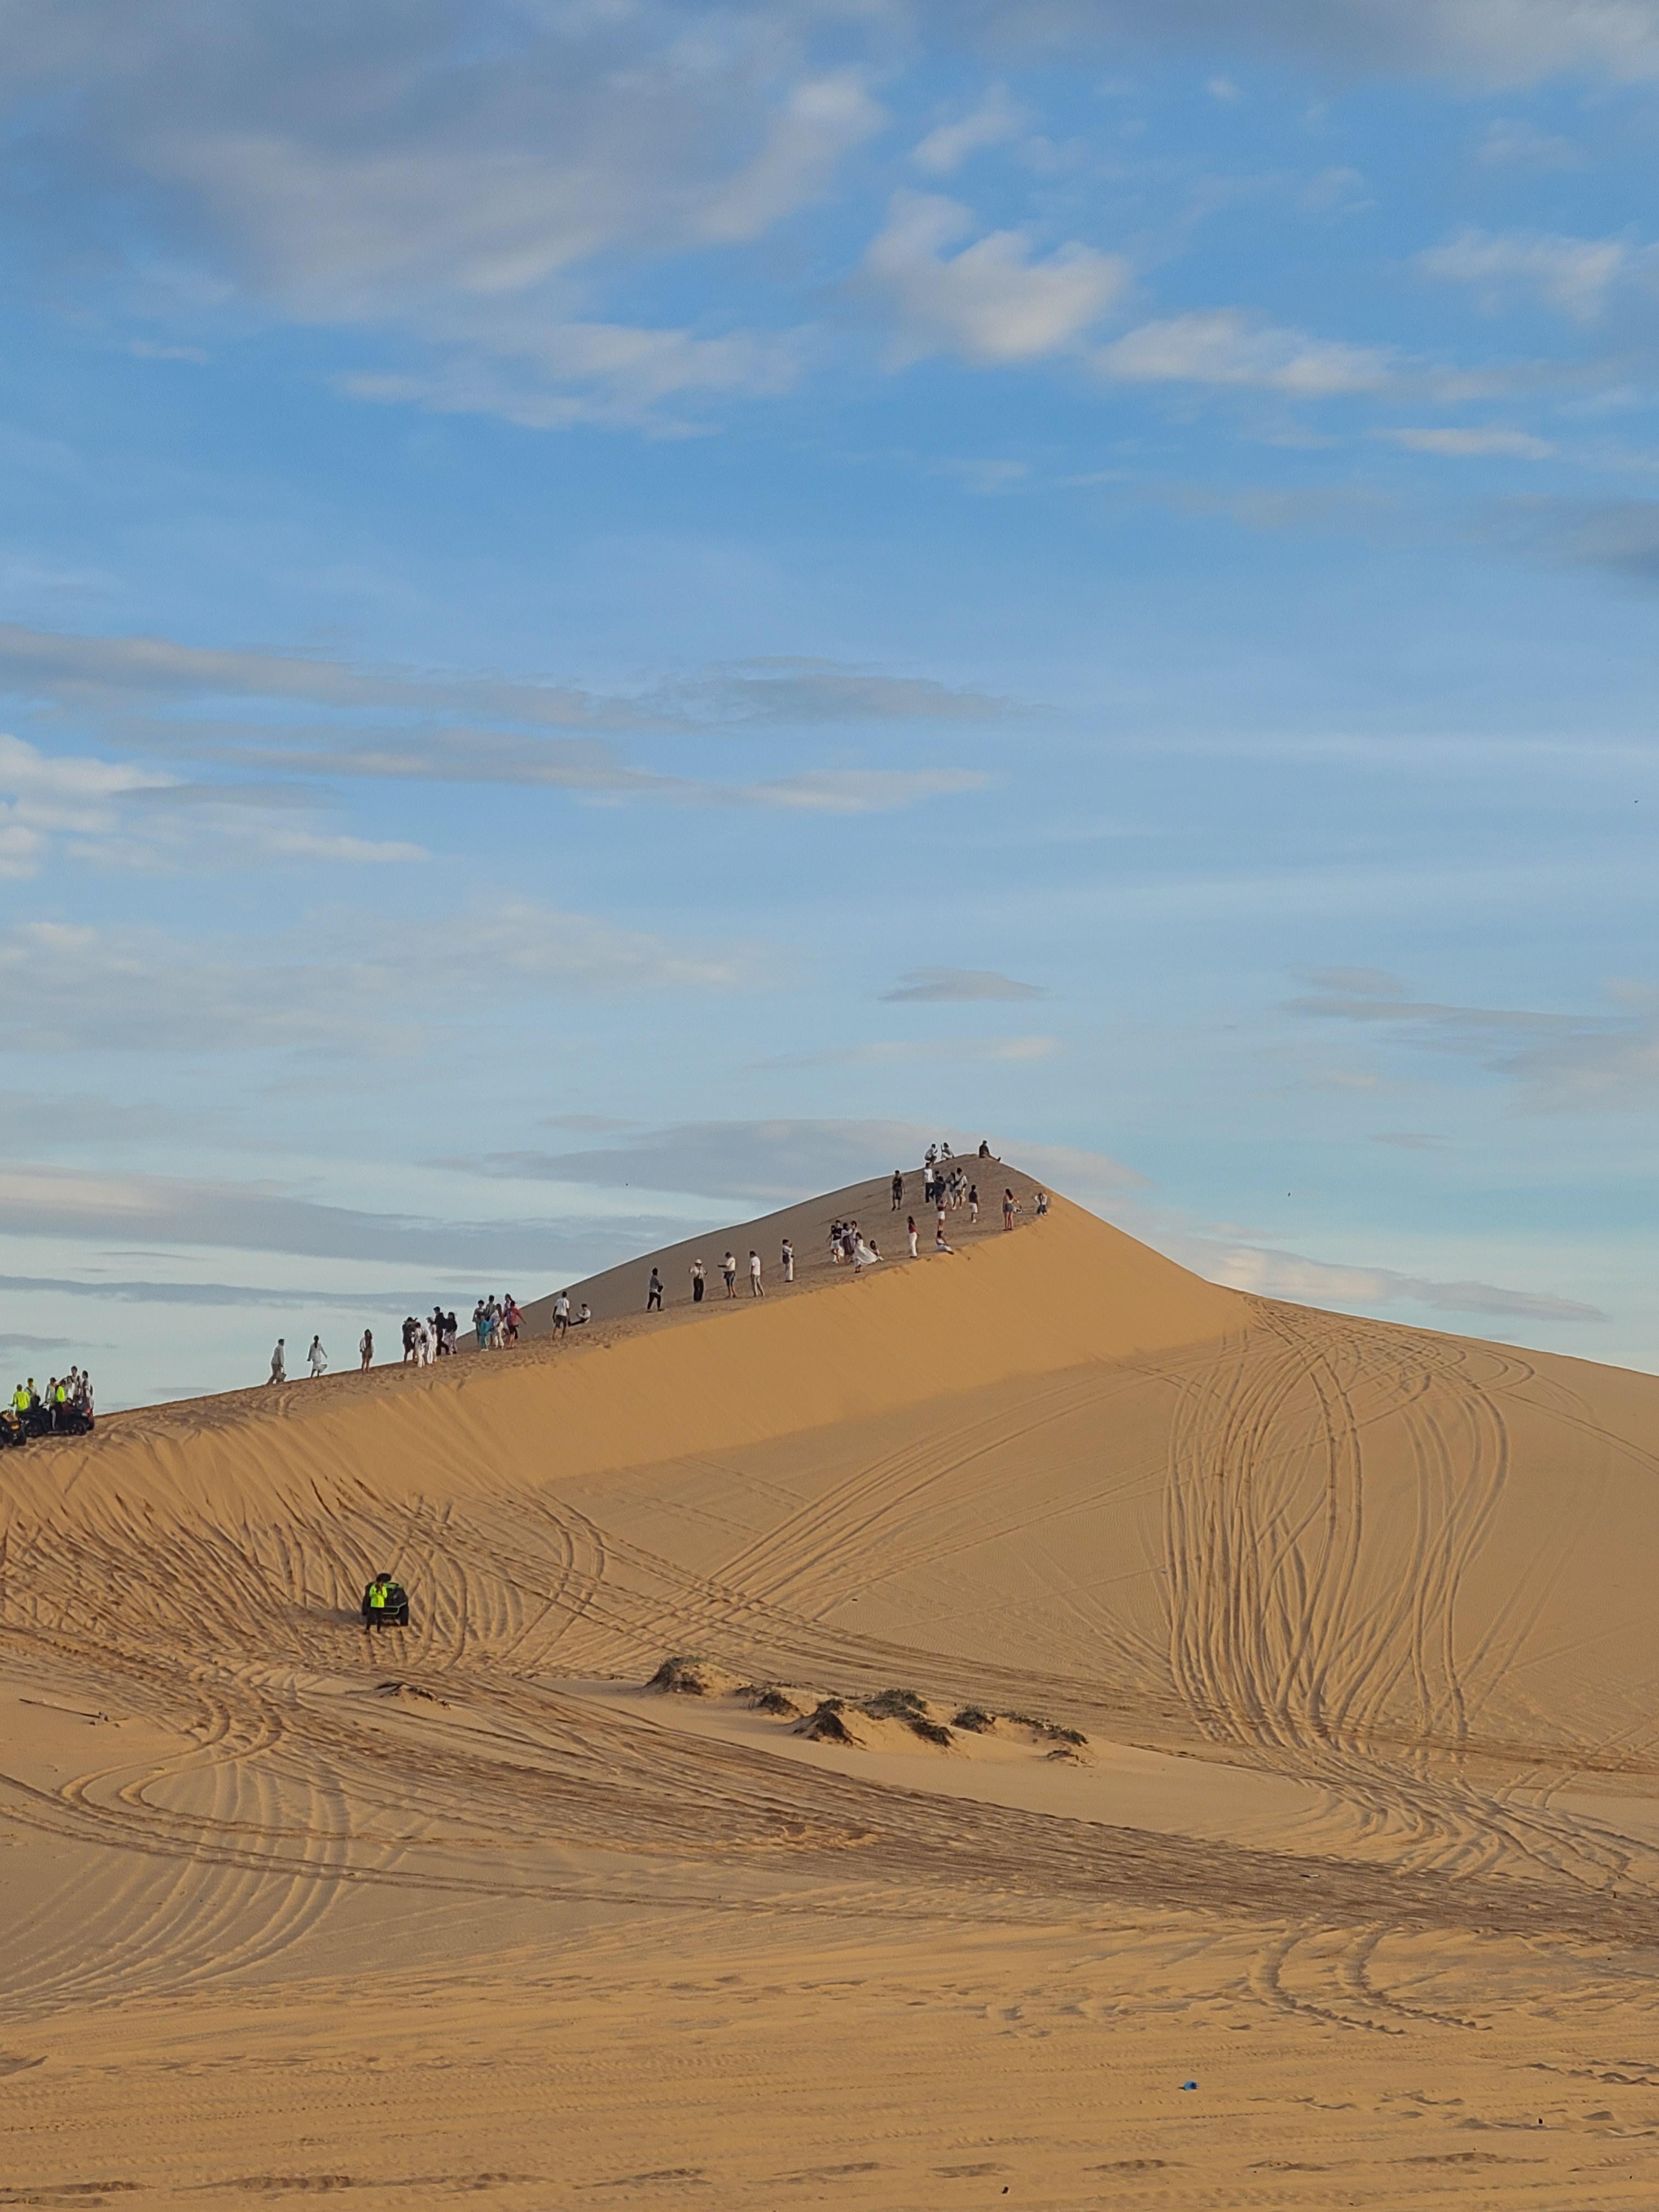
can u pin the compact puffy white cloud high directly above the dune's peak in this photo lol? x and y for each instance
(997, 300)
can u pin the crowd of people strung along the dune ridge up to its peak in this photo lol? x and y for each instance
(948, 1189)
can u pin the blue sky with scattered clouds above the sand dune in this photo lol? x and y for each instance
(618, 614)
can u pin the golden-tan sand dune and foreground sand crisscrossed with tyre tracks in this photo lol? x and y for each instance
(1016, 1726)
